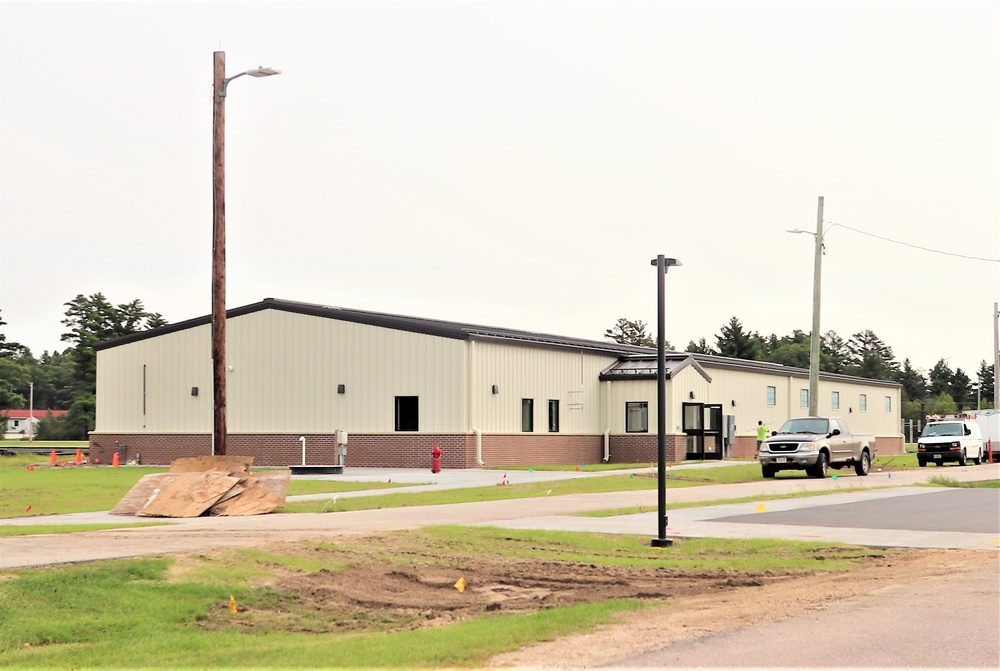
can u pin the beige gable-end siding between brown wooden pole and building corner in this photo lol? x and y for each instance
(294, 387)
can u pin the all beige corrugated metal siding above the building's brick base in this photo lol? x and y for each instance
(286, 367)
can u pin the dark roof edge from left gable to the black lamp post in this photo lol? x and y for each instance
(435, 327)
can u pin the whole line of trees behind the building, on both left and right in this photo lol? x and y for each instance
(67, 380)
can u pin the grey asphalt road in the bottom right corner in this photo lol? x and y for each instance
(951, 622)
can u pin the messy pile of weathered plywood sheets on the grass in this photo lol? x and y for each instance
(197, 486)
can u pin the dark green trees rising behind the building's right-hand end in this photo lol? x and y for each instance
(864, 354)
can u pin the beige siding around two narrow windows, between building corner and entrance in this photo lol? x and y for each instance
(537, 373)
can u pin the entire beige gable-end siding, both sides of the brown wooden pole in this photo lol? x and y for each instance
(284, 377)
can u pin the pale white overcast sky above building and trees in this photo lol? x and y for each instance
(512, 164)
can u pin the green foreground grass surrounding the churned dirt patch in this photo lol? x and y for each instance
(134, 613)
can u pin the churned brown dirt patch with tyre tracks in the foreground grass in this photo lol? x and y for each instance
(361, 590)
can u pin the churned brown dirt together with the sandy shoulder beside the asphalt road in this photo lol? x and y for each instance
(364, 585)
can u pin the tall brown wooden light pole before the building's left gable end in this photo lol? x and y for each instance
(221, 82)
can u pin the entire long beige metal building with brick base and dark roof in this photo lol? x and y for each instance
(400, 385)
